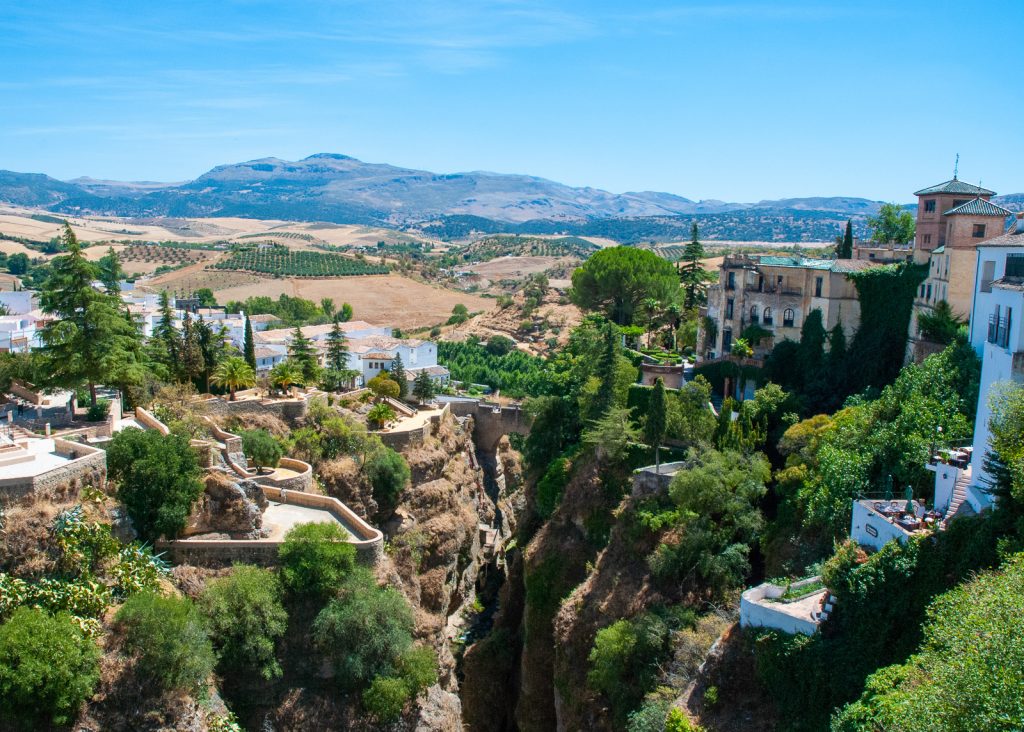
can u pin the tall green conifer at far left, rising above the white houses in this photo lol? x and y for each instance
(93, 339)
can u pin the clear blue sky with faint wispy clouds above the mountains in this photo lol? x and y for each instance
(733, 101)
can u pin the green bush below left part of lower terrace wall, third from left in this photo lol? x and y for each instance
(247, 619)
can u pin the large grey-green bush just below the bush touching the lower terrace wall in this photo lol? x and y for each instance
(365, 632)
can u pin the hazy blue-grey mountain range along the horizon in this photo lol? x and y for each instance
(343, 190)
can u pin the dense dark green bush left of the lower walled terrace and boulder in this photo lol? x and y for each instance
(158, 480)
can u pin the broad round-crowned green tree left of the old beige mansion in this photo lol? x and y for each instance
(616, 282)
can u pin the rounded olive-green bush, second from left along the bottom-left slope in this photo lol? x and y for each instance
(168, 636)
